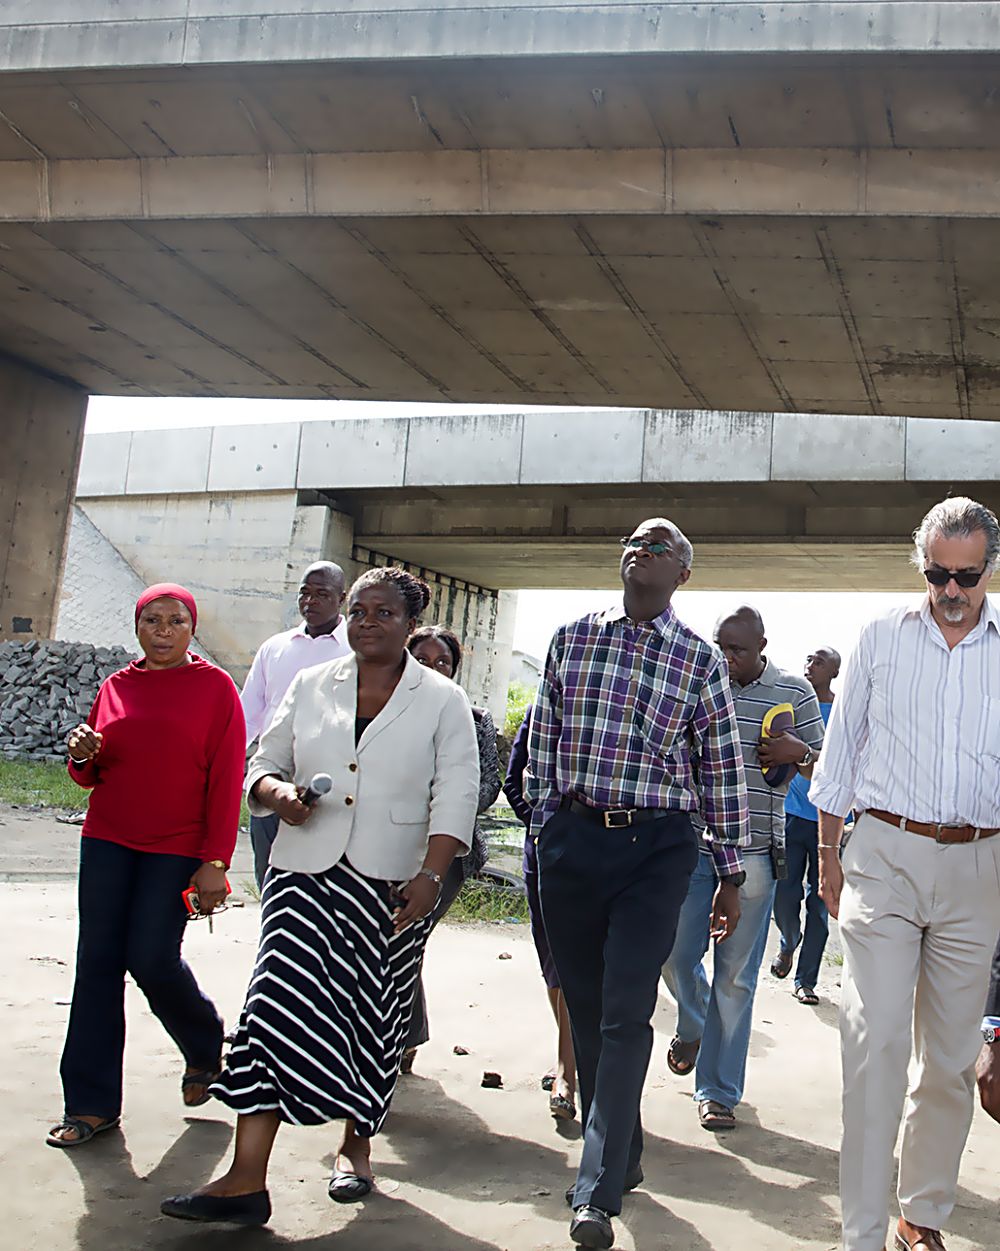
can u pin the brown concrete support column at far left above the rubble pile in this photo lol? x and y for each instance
(42, 431)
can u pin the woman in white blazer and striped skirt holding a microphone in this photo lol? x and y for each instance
(349, 895)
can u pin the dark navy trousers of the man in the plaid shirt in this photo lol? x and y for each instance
(610, 901)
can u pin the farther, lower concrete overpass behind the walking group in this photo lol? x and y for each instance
(487, 505)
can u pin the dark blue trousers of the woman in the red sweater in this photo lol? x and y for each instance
(132, 921)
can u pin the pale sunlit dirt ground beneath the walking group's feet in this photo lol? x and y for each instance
(460, 1168)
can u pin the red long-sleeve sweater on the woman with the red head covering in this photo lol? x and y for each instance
(170, 774)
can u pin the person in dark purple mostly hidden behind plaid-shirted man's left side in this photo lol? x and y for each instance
(563, 1081)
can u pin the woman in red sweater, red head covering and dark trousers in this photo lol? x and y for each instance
(162, 756)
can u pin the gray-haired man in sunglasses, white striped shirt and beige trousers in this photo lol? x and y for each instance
(914, 745)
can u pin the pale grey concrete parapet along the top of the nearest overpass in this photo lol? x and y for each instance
(68, 34)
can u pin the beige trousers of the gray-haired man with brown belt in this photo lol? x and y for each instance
(919, 921)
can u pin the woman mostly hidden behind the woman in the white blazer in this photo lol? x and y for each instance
(439, 649)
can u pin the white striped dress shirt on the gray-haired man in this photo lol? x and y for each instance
(916, 730)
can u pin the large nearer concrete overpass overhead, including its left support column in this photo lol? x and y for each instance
(782, 208)
